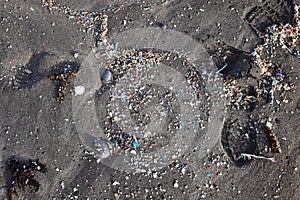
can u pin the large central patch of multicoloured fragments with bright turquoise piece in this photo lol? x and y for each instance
(132, 68)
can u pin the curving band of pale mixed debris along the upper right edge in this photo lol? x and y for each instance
(272, 76)
